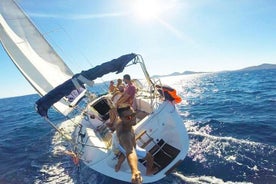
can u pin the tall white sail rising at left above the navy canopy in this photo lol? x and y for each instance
(31, 53)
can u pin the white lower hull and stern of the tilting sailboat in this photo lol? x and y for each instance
(169, 140)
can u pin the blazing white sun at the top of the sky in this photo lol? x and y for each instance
(148, 9)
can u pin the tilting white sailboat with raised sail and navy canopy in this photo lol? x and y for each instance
(159, 129)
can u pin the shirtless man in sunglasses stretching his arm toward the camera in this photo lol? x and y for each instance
(128, 147)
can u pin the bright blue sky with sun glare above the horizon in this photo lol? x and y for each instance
(171, 35)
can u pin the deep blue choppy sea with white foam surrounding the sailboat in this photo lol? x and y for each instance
(230, 118)
